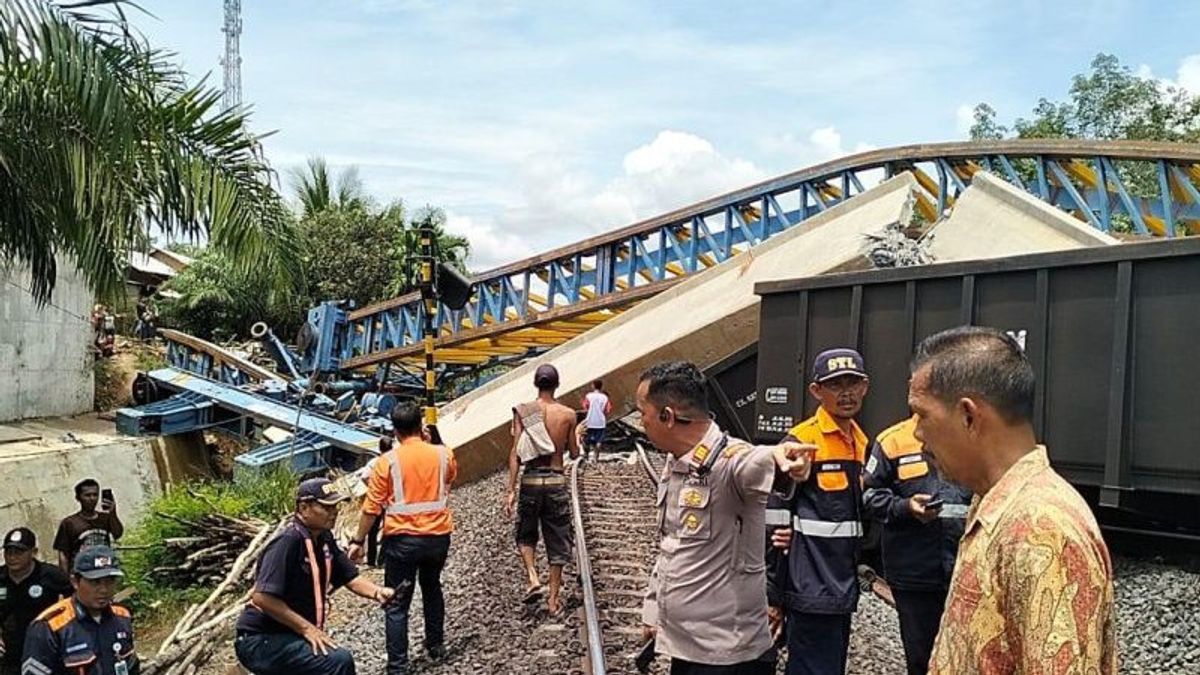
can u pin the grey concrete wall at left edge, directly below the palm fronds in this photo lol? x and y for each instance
(45, 353)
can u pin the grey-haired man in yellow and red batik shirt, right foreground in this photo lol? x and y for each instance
(1033, 587)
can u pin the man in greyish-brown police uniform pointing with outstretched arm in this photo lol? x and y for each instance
(707, 600)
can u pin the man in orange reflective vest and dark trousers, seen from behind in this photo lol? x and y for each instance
(409, 488)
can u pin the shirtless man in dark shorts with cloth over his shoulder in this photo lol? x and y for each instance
(544, 498)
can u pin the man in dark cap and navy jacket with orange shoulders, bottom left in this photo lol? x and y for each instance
(86, 634)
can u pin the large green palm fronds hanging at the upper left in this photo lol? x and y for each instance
(103, 139)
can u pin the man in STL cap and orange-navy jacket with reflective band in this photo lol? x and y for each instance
(818, 525)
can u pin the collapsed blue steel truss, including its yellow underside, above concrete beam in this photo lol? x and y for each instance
(1142, 189)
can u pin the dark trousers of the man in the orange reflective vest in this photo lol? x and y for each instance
(409, 558)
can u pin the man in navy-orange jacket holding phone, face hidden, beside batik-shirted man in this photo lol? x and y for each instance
(922, 516)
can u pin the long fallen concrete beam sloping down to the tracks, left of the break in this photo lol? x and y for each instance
(704, 320)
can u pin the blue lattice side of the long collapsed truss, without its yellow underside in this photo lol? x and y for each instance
(674, 244)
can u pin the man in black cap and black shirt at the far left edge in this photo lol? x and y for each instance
(28, 587)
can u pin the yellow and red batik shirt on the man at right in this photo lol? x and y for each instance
(1033, 587)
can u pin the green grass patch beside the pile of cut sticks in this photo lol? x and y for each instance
(267, 498)
